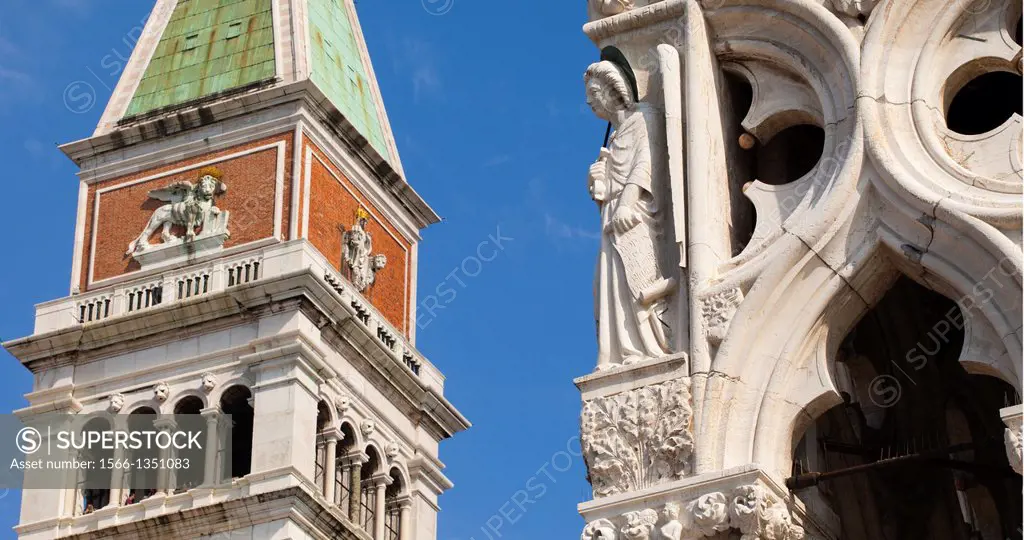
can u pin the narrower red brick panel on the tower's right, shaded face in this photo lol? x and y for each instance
(333, 203)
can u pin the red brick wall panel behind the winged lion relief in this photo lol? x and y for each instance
(124, 213)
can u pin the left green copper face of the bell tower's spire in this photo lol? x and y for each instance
(208, 47)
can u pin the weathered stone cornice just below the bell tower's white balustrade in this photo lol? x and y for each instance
(300, 292)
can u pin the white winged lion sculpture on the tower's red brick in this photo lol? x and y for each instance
(190, 206)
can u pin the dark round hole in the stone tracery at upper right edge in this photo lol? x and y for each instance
(986, 103)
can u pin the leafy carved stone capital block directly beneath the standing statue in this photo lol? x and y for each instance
(639, 438)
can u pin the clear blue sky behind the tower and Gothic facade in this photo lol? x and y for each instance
(487, 104)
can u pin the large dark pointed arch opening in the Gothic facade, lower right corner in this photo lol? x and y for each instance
(916, 450)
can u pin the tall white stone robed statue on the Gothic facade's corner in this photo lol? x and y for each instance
(630, 288)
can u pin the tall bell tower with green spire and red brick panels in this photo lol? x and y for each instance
(246, 245)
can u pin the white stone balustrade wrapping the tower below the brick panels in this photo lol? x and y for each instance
(185, 284)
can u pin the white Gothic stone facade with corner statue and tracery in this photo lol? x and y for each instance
(808, 296)
